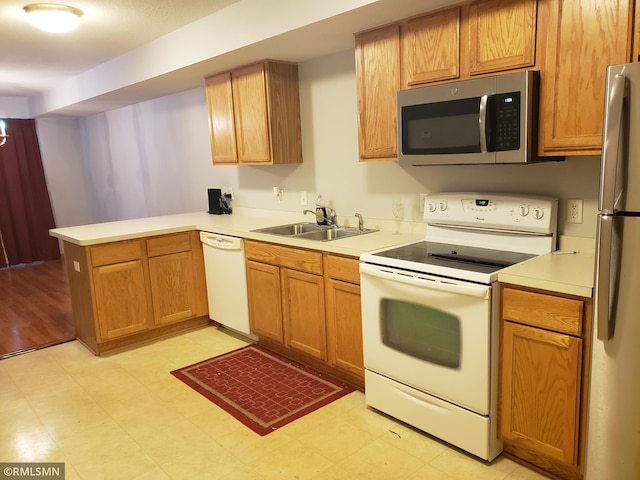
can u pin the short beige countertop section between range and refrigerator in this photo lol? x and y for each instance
(570, 273)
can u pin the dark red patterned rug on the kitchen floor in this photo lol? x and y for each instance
(261, 389)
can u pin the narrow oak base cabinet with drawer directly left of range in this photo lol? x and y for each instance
(344, 315)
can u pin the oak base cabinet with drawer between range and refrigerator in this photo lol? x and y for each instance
(544, 372)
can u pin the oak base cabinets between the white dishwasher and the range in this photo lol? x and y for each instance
(305, 304)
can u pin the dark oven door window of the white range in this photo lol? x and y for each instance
(421, 331)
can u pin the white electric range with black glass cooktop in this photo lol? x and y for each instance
(430, 313)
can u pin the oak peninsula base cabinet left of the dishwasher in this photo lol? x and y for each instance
(128, 292)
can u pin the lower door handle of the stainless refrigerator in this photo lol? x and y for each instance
(602, 294)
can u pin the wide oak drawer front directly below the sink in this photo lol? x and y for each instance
(294, 258)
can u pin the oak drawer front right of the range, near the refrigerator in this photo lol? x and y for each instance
(552, 312)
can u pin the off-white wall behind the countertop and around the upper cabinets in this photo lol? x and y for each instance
(153, 158)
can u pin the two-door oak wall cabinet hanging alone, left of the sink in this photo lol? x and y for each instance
(254, 115)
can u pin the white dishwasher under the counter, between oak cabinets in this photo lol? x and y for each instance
(226, 281)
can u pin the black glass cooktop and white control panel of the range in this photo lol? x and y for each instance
(472, 236)
